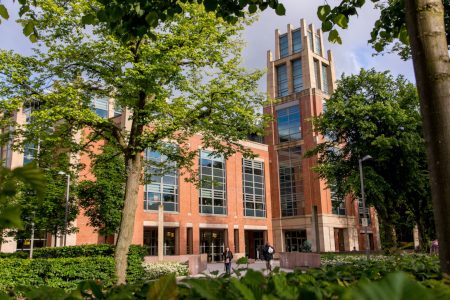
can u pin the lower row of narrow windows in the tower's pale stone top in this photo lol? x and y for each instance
(297, 78)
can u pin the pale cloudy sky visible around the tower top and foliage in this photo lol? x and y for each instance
(354, 53)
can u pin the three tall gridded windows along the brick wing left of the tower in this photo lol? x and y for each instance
(212, 197)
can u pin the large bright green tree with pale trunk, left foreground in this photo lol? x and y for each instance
(188, 81)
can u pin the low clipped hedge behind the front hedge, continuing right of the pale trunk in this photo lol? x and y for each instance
(135, 271)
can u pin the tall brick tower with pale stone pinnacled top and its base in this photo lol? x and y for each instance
(301, 77)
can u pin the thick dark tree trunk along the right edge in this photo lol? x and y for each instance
(426, 30)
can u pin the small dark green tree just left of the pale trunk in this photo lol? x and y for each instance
(102, 198)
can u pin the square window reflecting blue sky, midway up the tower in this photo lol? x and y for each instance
(289, 124)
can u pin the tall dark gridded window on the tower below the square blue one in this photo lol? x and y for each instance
(291, 182)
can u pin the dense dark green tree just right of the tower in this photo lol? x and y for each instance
(373, 114)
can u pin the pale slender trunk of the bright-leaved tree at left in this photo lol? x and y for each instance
(125, 236)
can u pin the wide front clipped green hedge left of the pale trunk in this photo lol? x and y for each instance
(63, 273)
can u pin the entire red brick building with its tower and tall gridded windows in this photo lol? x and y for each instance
(272, 197)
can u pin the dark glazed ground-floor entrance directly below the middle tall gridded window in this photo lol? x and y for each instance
(212, 243)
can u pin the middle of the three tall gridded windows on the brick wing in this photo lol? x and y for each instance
(212, 198)
